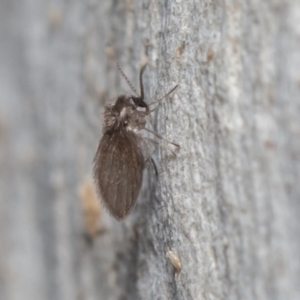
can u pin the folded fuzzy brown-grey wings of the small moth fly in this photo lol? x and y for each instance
(118, 171)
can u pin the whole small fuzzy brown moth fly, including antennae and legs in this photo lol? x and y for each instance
(123, 153)
